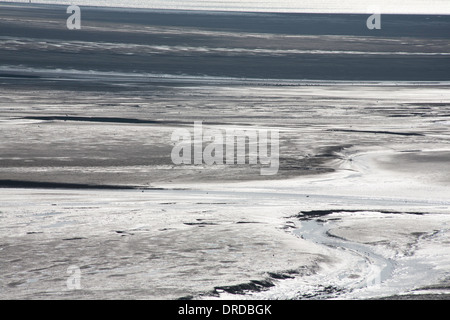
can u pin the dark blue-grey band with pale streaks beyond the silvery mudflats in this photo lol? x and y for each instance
(298, 47)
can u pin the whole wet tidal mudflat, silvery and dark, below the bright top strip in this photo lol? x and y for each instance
(86, 177)
